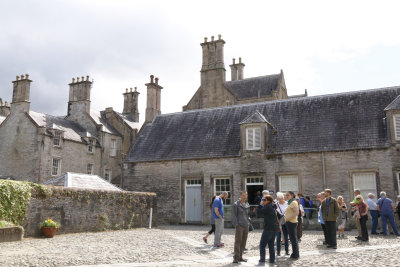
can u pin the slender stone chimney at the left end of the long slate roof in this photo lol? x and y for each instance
(153, 107)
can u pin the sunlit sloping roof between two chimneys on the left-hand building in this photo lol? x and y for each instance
(71, 129)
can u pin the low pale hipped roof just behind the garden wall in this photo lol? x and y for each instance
(80, 180)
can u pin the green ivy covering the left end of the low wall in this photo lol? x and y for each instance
(14, 199)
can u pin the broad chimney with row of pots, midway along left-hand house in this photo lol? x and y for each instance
(79, 96)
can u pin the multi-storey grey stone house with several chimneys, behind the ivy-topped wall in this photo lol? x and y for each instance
(37, 147)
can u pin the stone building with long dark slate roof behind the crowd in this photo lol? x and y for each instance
(264, 140)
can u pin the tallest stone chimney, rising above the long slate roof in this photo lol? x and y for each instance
(213, 67)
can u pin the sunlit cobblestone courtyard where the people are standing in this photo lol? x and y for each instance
(183, 246)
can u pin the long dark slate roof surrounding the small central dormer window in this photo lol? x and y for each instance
(343, 121)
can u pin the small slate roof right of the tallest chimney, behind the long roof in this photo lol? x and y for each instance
(254, 87)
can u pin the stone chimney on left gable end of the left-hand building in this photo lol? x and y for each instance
(21, 93)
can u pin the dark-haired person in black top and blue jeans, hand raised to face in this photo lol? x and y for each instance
(271, 227)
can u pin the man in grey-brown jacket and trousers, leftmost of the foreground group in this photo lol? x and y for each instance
(240, 220)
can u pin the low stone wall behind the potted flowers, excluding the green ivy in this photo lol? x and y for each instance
(79, 210)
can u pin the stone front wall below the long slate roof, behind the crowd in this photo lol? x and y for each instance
(164, 177)
